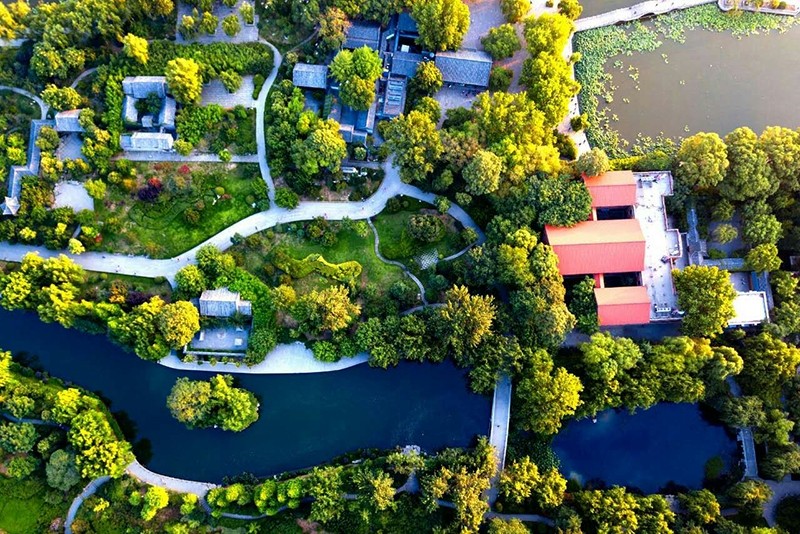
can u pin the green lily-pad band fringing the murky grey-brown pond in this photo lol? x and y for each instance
(601, 50)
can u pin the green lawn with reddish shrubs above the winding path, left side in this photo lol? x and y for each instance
(188, 208)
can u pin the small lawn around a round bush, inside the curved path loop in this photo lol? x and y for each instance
(397, 244)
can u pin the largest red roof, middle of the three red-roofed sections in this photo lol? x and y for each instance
(598, 247)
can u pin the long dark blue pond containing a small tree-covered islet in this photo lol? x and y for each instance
(304, 419)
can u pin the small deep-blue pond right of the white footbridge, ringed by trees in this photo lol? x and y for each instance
(647, 450)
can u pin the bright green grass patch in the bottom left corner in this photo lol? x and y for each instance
(23, 508)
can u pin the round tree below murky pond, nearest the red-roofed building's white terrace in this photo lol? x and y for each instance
(702, 161)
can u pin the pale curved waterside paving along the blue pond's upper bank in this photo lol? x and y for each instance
(286, 358)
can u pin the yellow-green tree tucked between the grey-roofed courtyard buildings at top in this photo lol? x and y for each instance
(356, 73)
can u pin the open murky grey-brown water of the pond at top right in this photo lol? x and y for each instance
(714, 82)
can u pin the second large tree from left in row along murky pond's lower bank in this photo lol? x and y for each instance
(749, 174)
